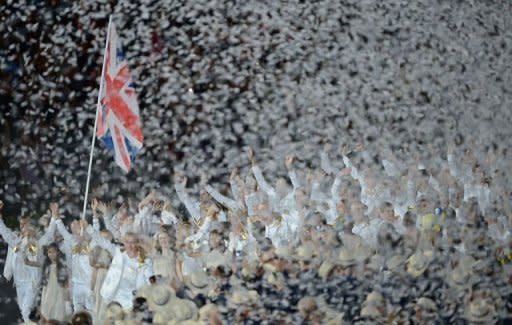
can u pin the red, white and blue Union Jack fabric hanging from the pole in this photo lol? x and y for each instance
(118, 124)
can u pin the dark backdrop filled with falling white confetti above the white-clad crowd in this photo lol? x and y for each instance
(213, 77)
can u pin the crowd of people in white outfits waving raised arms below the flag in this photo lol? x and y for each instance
(425, 243)
